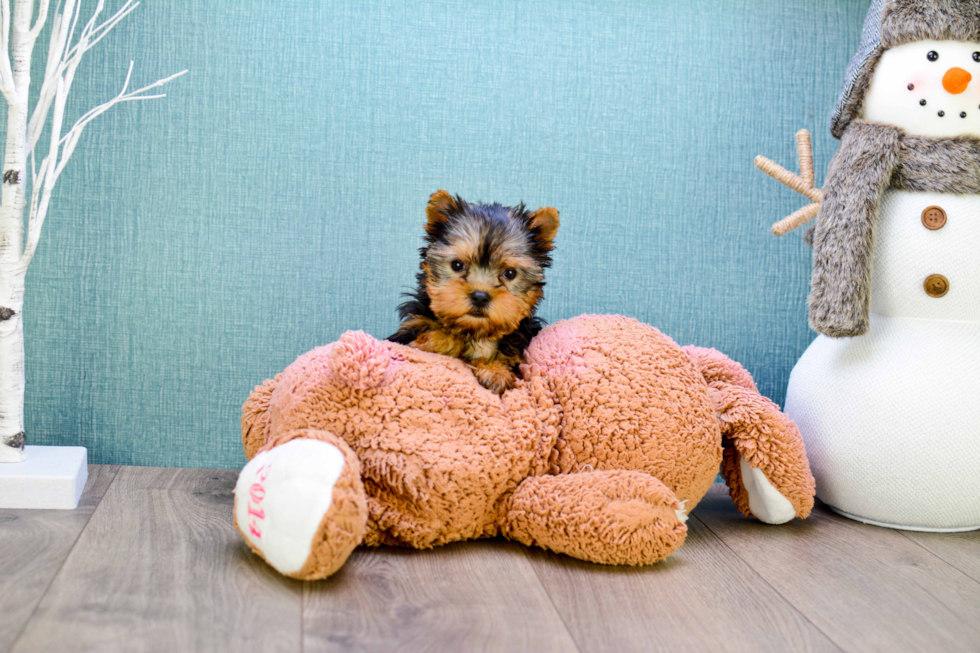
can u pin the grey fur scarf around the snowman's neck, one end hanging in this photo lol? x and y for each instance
(872, 158)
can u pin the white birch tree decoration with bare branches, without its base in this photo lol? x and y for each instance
(24, 129)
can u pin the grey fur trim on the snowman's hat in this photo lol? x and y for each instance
(906, 21)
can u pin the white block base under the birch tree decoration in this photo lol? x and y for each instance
(51, 478)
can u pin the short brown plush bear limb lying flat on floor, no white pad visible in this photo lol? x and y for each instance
(611, 517)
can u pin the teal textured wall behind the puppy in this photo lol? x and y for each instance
(198, 244)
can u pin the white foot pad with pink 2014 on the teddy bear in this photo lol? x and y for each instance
(282, 496)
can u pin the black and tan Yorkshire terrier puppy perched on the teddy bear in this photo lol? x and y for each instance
(481, 280)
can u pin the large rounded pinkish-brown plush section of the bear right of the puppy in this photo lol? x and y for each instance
(627, 407)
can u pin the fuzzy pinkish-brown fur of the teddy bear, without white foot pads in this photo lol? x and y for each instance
(613, 434)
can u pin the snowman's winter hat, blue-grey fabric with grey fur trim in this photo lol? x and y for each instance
(893, 22)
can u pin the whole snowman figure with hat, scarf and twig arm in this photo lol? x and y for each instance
(887, 397)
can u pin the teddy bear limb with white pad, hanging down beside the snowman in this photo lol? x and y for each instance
(764, 462)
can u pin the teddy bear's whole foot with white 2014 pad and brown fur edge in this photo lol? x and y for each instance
(300, 503)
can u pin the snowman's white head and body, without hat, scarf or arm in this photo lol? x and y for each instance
(891, 418)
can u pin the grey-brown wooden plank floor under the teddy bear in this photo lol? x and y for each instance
(151, 562)
